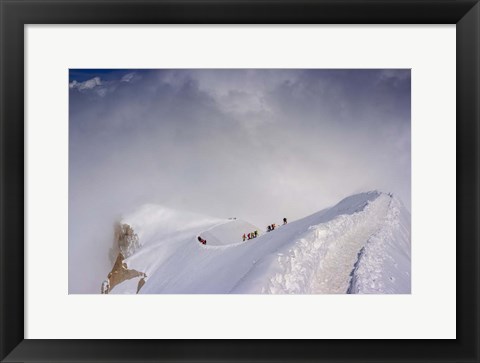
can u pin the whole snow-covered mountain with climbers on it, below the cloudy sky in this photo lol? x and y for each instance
(360, 245)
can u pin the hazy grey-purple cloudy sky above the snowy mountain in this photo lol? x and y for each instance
(252, 144)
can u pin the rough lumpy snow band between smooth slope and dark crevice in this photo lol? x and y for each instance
(322, 259)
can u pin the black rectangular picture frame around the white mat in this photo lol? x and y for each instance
(15, 14)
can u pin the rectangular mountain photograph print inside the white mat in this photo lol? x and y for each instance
(239, 181)
